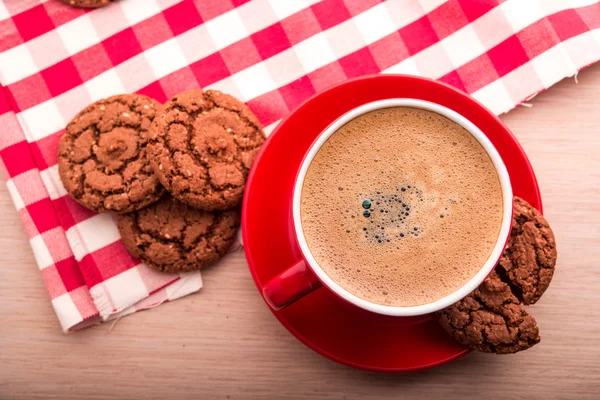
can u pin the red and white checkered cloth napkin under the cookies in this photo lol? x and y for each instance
(271, 54)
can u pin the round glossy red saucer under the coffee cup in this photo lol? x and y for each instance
(323, 322)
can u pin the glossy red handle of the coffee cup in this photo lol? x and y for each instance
(289, 286)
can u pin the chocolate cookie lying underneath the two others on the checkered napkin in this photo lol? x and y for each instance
(171, 236)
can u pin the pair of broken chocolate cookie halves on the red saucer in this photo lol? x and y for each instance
(492, 318)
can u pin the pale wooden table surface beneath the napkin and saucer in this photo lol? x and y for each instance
(225, 343)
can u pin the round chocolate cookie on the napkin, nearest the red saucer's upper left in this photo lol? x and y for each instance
(202, 147)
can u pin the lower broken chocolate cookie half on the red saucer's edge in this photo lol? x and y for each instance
(490, 319)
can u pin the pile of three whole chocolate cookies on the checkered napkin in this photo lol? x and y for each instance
(174, 174)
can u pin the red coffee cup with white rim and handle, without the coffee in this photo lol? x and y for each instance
(306, 275)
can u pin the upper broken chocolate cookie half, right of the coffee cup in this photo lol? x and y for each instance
(528, 261)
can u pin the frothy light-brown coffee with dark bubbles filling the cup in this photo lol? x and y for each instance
(401, 206)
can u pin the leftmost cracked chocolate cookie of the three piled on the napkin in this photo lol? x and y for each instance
(102, 156)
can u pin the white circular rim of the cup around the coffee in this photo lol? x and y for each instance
(486, 267)
